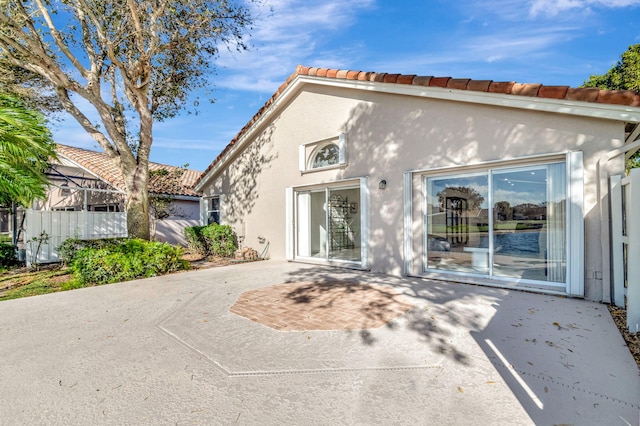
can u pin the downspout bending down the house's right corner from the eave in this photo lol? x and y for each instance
(605, 217)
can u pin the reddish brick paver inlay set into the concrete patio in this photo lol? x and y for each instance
(306, 306)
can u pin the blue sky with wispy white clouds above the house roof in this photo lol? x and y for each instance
(553, 42)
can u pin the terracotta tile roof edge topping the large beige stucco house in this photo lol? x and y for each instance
(612, 97)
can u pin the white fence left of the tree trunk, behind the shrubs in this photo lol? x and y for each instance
(58, 226)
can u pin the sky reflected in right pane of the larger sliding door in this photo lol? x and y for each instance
(529, 186)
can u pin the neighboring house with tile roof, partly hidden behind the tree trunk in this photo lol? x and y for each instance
(89, 180)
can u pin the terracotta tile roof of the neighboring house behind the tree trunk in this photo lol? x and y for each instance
(101, 165)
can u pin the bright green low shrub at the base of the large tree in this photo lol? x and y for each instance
(126, 261)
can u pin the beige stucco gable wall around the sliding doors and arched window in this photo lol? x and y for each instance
(387, 135)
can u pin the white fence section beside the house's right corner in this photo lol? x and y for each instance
(625, 223)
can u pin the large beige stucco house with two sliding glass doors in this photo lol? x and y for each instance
(497, 183)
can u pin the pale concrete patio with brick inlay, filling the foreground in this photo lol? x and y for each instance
(169, 350)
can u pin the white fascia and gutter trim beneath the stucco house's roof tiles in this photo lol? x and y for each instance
(561, 106)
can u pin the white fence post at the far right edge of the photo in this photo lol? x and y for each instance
(633, 252)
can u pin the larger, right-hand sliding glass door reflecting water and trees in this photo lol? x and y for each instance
(502, 223)
